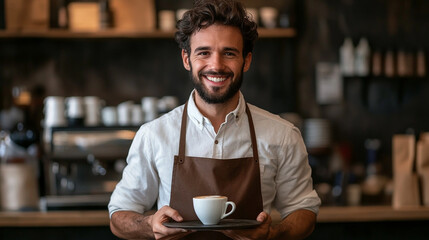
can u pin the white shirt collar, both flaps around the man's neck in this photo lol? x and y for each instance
(199, 119)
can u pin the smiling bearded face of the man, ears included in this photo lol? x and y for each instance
(216, 62)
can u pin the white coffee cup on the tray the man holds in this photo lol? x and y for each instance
(211, 209)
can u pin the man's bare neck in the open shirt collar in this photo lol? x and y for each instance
(216, 113)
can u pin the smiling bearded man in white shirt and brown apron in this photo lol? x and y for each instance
(216, 141)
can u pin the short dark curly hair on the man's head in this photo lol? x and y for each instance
(208, 12)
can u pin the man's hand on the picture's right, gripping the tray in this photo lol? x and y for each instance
(261, 232)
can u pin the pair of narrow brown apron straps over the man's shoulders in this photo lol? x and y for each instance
(182, 143)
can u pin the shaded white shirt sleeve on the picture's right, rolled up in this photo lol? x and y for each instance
(293, 179)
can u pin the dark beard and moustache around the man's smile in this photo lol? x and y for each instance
(216, 97)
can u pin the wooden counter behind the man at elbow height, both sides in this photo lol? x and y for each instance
(101, 218)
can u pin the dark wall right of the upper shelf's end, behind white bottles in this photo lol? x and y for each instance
(372, 107)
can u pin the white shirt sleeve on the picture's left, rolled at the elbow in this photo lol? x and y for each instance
(138, 189)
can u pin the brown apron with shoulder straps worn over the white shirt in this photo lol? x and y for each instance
(238, 179)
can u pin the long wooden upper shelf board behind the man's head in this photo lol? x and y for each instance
(263, 33)
